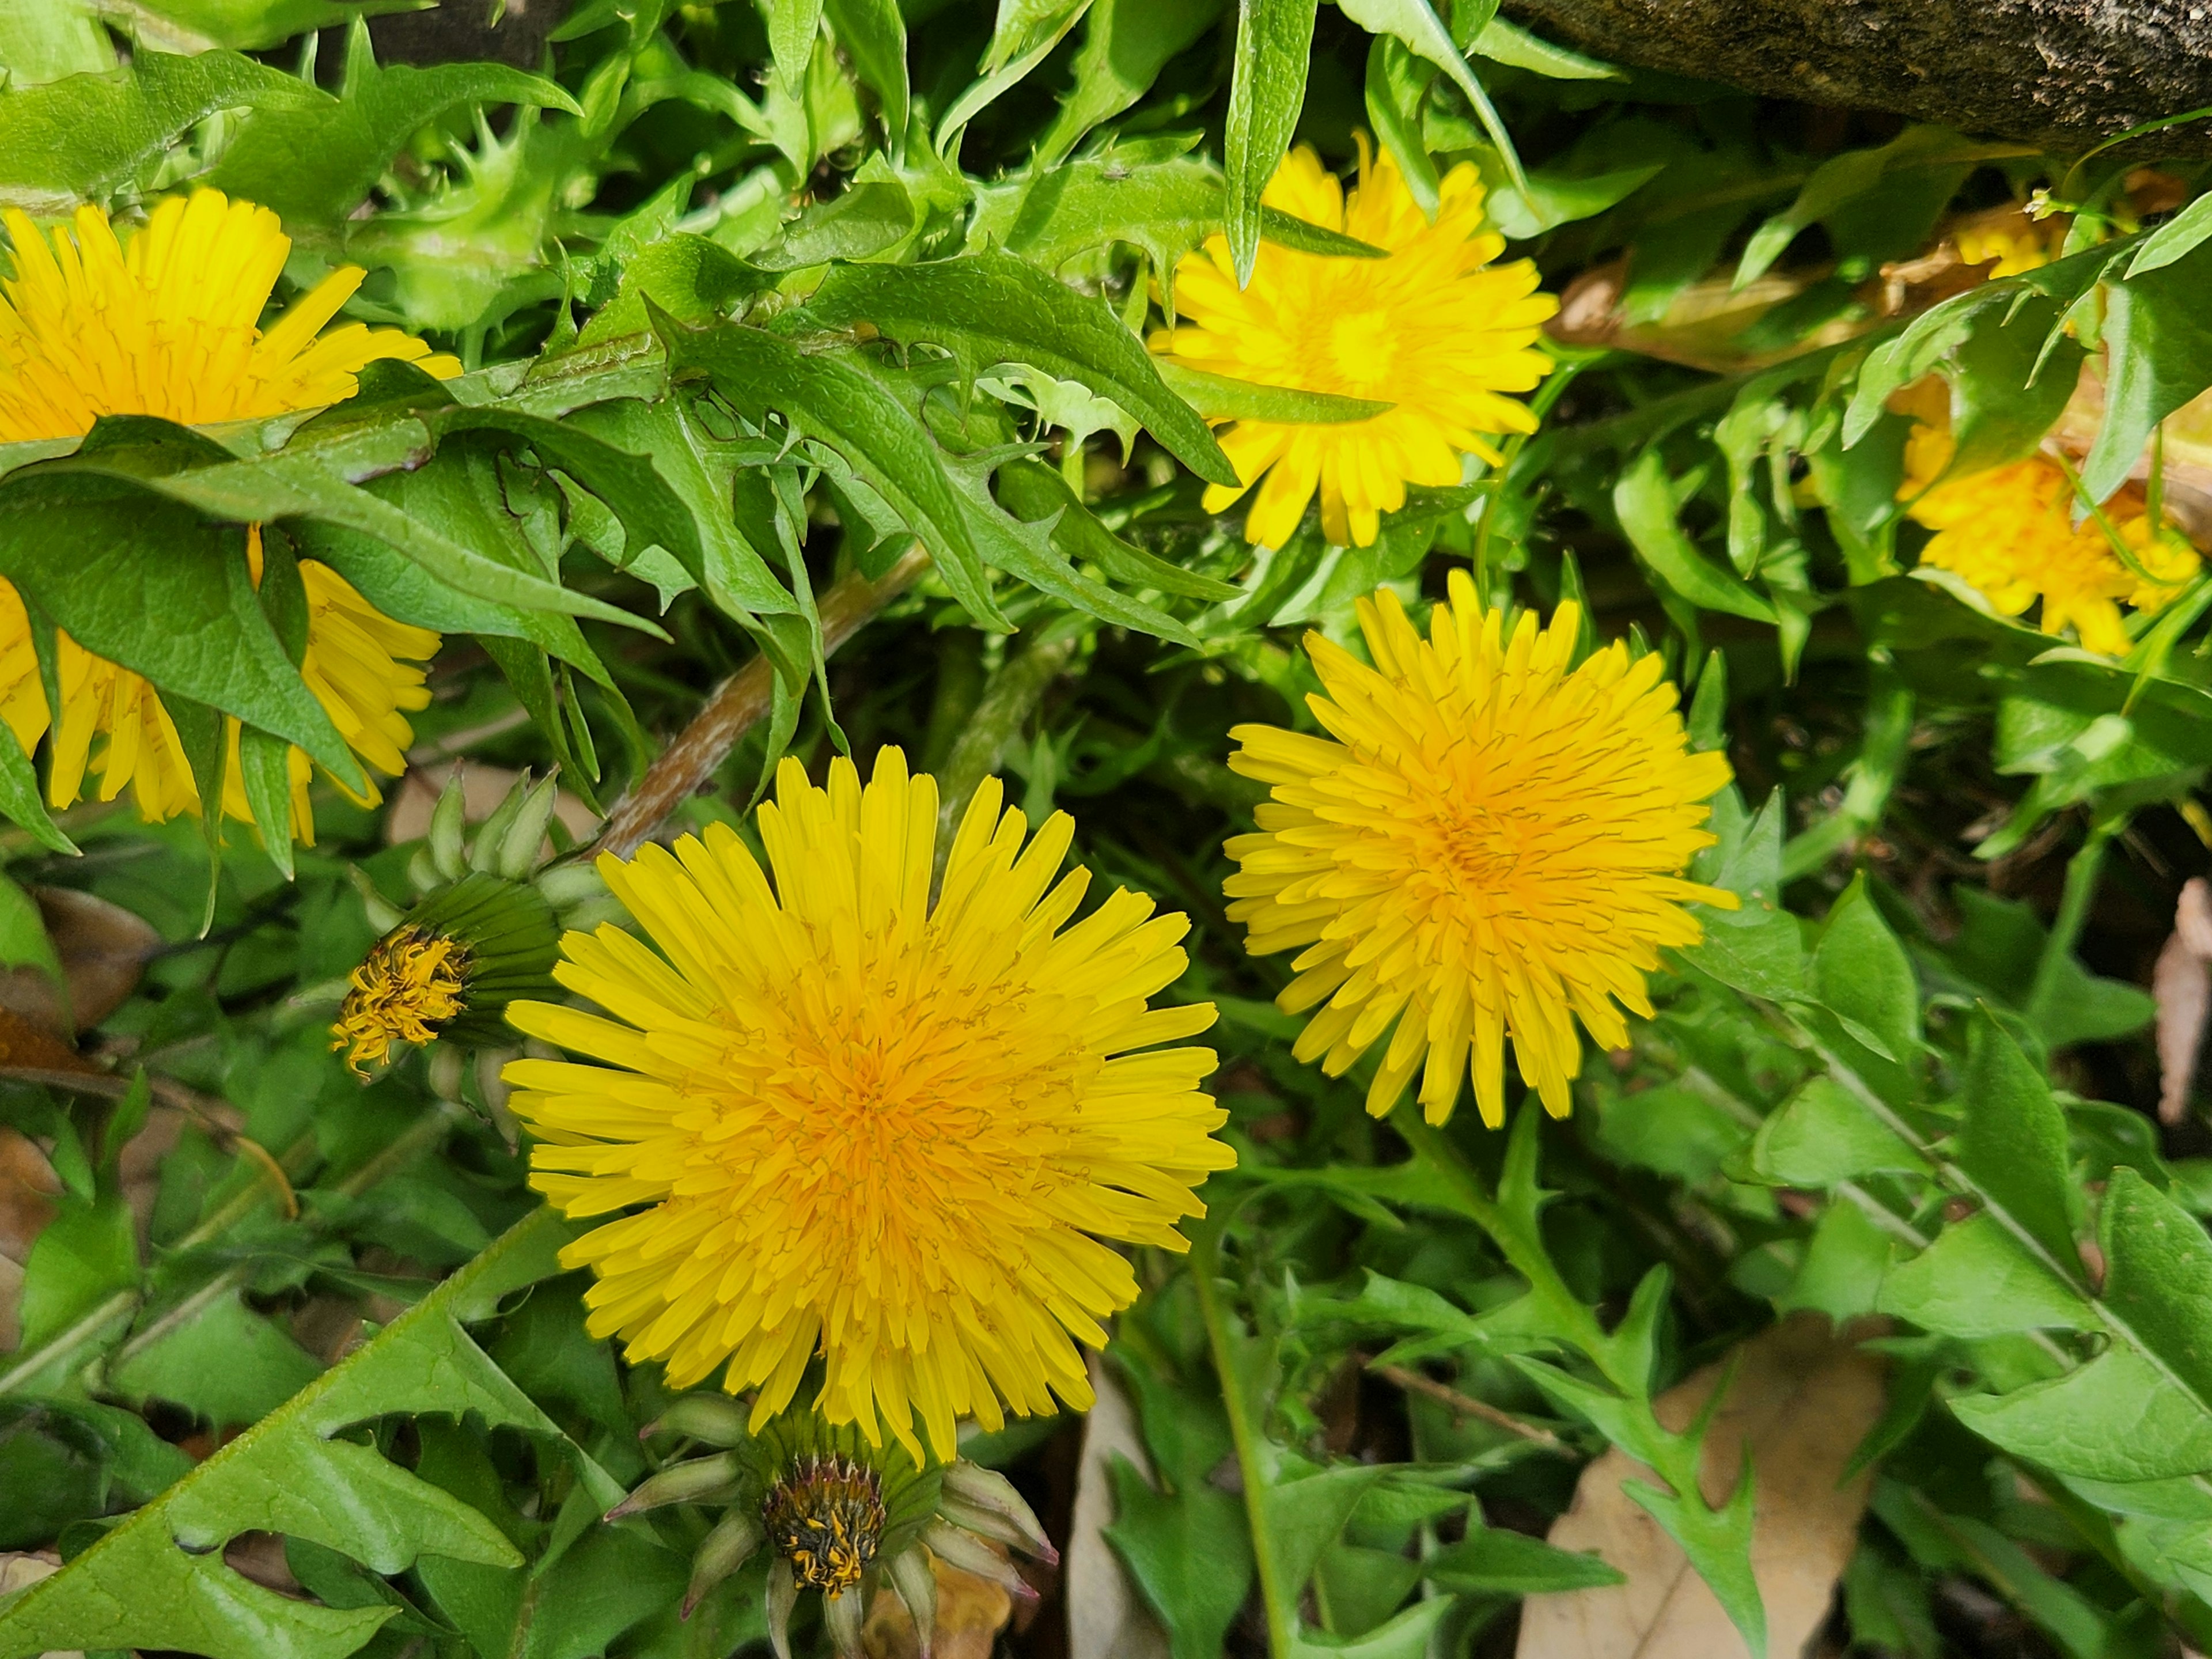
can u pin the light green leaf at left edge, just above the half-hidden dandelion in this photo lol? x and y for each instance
(92, 134)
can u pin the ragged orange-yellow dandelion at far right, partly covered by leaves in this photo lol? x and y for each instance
(2012, 536)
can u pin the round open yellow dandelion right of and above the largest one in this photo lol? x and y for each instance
(1488, 846)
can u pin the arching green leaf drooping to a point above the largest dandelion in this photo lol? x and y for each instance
(855, 417)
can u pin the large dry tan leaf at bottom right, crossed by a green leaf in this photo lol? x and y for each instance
(1804, 1399)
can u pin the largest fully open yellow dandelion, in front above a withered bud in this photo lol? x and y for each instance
(868, 1127)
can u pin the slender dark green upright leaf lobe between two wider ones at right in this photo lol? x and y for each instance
(2014, 1142)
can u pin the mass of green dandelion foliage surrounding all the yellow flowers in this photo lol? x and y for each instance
(758, 302)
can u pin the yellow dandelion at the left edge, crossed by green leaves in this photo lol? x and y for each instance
(169, 324)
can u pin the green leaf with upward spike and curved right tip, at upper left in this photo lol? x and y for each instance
(315, 165)
